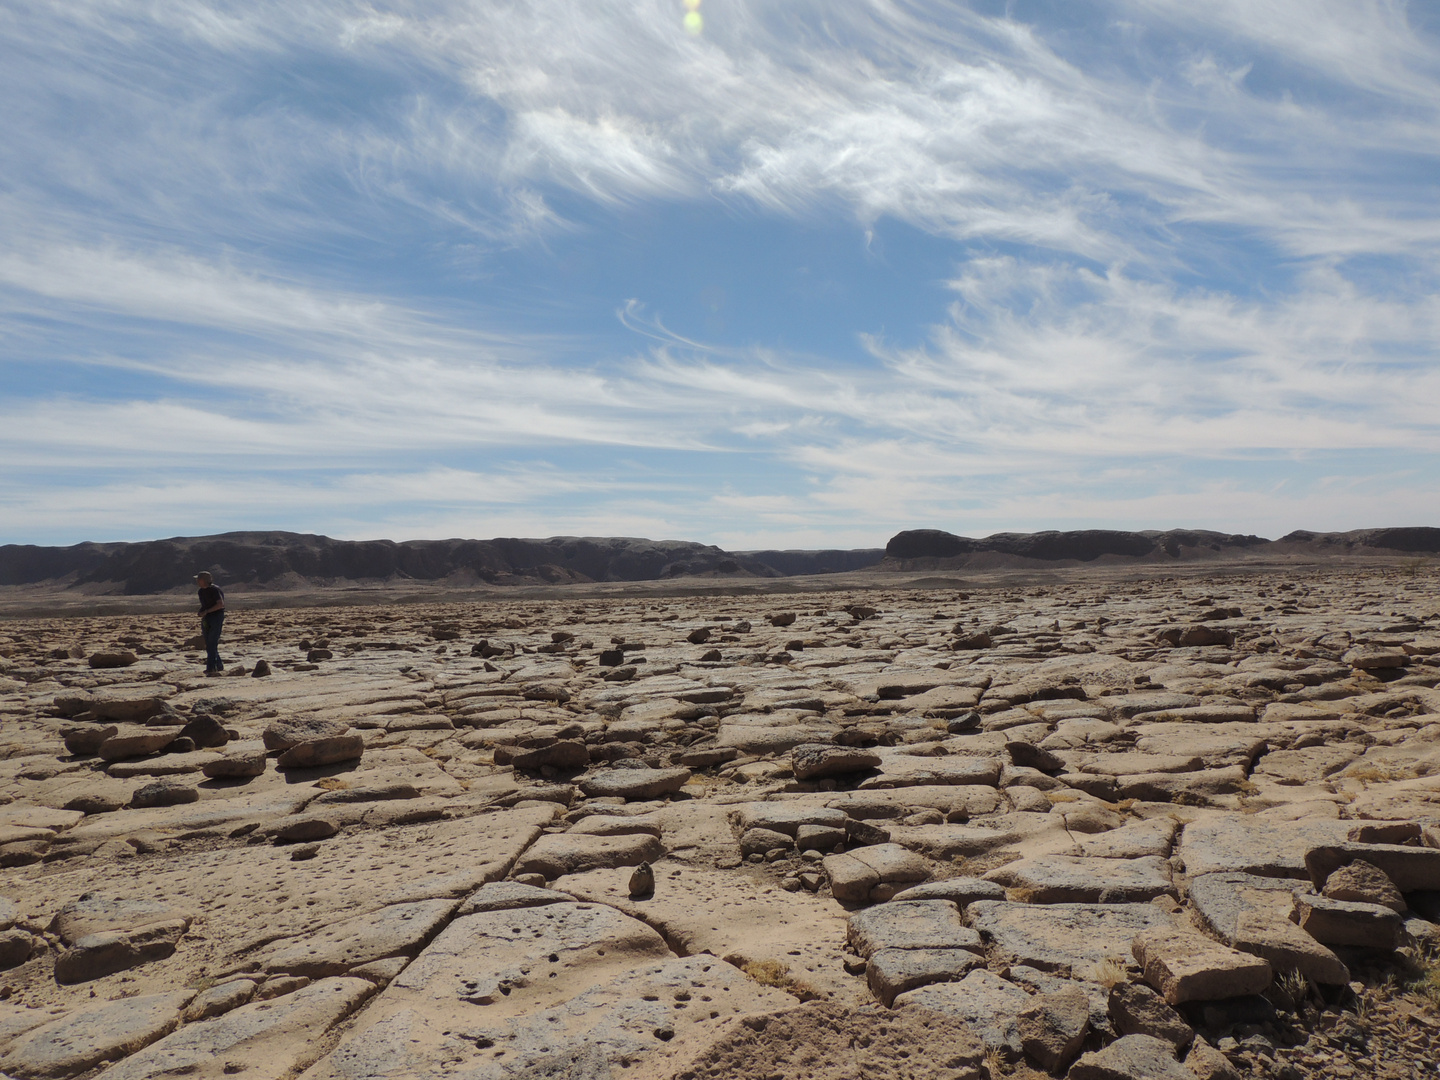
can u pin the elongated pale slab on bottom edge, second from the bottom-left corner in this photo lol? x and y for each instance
(266, 1040)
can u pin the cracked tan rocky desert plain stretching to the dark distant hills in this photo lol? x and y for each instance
(1089, 826)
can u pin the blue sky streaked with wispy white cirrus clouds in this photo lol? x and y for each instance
(754, 273)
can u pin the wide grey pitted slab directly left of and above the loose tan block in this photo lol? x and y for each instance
(1063, 938)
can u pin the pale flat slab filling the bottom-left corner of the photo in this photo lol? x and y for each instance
(83, 1040)
